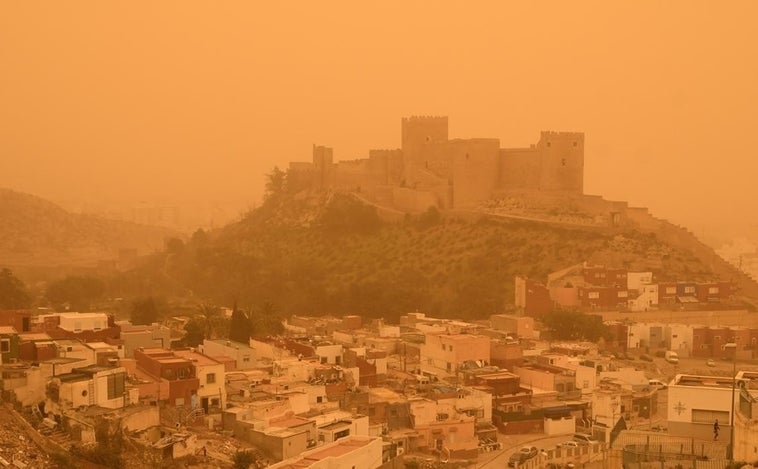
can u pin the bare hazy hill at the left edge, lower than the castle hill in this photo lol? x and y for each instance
(37, 232)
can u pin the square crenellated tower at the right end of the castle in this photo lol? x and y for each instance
(561, 162)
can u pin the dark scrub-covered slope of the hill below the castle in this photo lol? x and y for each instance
(331, 254)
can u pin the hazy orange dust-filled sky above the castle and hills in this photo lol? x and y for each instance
(112, 102)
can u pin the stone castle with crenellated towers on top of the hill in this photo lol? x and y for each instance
(430, 169)
